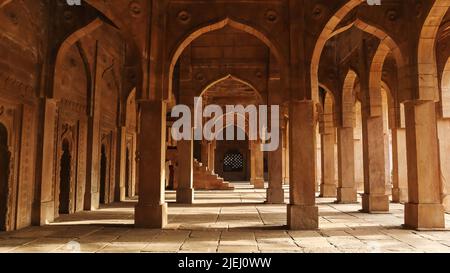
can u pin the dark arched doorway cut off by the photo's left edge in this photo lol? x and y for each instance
(4, 176)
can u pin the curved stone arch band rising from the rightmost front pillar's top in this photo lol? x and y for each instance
(426, 58)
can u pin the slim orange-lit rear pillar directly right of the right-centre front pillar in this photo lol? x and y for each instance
(328, 185)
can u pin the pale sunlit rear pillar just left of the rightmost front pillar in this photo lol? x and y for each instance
(400, 171)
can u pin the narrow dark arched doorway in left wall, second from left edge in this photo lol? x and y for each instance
(64, 178)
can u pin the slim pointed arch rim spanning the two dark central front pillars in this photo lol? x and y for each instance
(182, 45)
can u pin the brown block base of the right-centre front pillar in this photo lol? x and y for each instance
(303, 217)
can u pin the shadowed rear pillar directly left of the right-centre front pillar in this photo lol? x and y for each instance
(275, 192)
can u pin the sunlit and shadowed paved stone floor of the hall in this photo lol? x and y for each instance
(234, 221)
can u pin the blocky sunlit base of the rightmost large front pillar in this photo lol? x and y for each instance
(424, 216)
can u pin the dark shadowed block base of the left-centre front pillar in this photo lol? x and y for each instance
(150, 216)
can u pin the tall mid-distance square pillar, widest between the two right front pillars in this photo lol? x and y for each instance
(375, 198)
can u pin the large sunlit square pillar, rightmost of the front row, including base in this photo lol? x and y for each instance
(424, 208)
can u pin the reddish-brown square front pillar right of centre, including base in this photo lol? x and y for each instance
(303, 214)
